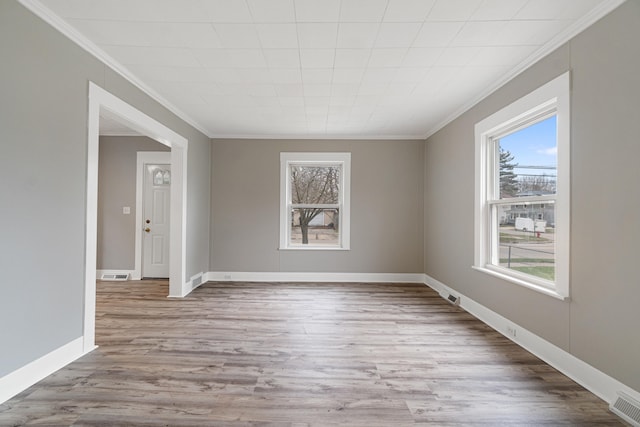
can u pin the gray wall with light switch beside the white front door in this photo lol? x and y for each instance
(116, 189)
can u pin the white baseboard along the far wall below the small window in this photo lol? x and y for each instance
(237, 276)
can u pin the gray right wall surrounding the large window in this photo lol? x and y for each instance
(599, 324)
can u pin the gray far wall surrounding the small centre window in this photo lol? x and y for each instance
(386, 208)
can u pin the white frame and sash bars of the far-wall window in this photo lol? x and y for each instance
(344, 206)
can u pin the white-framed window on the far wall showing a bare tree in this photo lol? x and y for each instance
(314, 200)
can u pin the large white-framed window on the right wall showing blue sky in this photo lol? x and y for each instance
(522, 191)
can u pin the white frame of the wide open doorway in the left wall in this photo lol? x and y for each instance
(102, 101)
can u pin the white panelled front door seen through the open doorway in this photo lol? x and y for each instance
(155, 214)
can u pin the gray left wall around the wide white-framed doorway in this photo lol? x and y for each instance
(43, 133)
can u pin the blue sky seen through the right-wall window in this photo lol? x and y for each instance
(533, 146)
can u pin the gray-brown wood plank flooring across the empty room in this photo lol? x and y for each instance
(290, 354)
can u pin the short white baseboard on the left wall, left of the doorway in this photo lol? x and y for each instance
(23, 378)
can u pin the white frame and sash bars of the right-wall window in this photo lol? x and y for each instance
(552, 96)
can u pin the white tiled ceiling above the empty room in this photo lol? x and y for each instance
(320, 68)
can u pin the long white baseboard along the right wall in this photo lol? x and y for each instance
(594, 380)
